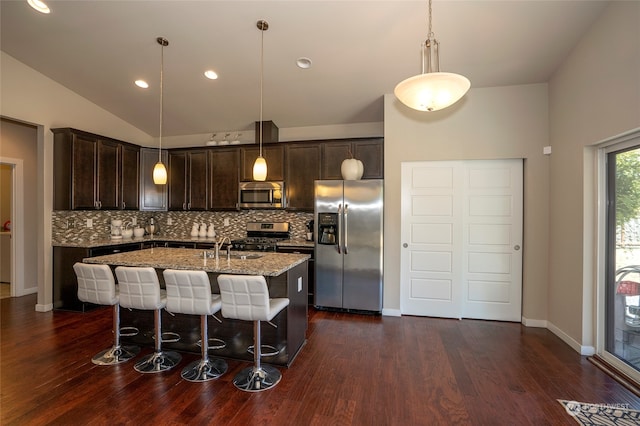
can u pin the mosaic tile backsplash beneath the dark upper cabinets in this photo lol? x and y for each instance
(72, 225)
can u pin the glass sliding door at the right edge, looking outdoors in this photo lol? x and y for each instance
(622, 309)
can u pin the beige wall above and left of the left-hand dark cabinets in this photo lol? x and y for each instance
(30, 97)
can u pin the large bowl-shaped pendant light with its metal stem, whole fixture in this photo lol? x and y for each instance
(432, 90)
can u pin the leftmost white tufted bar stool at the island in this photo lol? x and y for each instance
(96, 285)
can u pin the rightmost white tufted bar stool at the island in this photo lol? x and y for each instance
(246, 297)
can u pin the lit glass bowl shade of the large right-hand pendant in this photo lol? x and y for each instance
(432, 91)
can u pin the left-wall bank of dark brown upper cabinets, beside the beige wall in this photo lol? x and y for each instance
(88, 172)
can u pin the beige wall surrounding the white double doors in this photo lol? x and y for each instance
(491, 123)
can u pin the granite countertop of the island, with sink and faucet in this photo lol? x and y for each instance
(267, 264)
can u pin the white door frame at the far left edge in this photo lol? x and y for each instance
(17, 225)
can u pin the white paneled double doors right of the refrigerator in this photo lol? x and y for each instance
(462, 239)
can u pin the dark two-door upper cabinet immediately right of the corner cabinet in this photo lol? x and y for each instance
(188, 179)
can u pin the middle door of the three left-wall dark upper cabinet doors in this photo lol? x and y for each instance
(108, 171)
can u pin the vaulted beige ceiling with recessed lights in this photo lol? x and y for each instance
(359, 51)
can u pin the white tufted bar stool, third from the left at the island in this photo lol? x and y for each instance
(189, 292)
